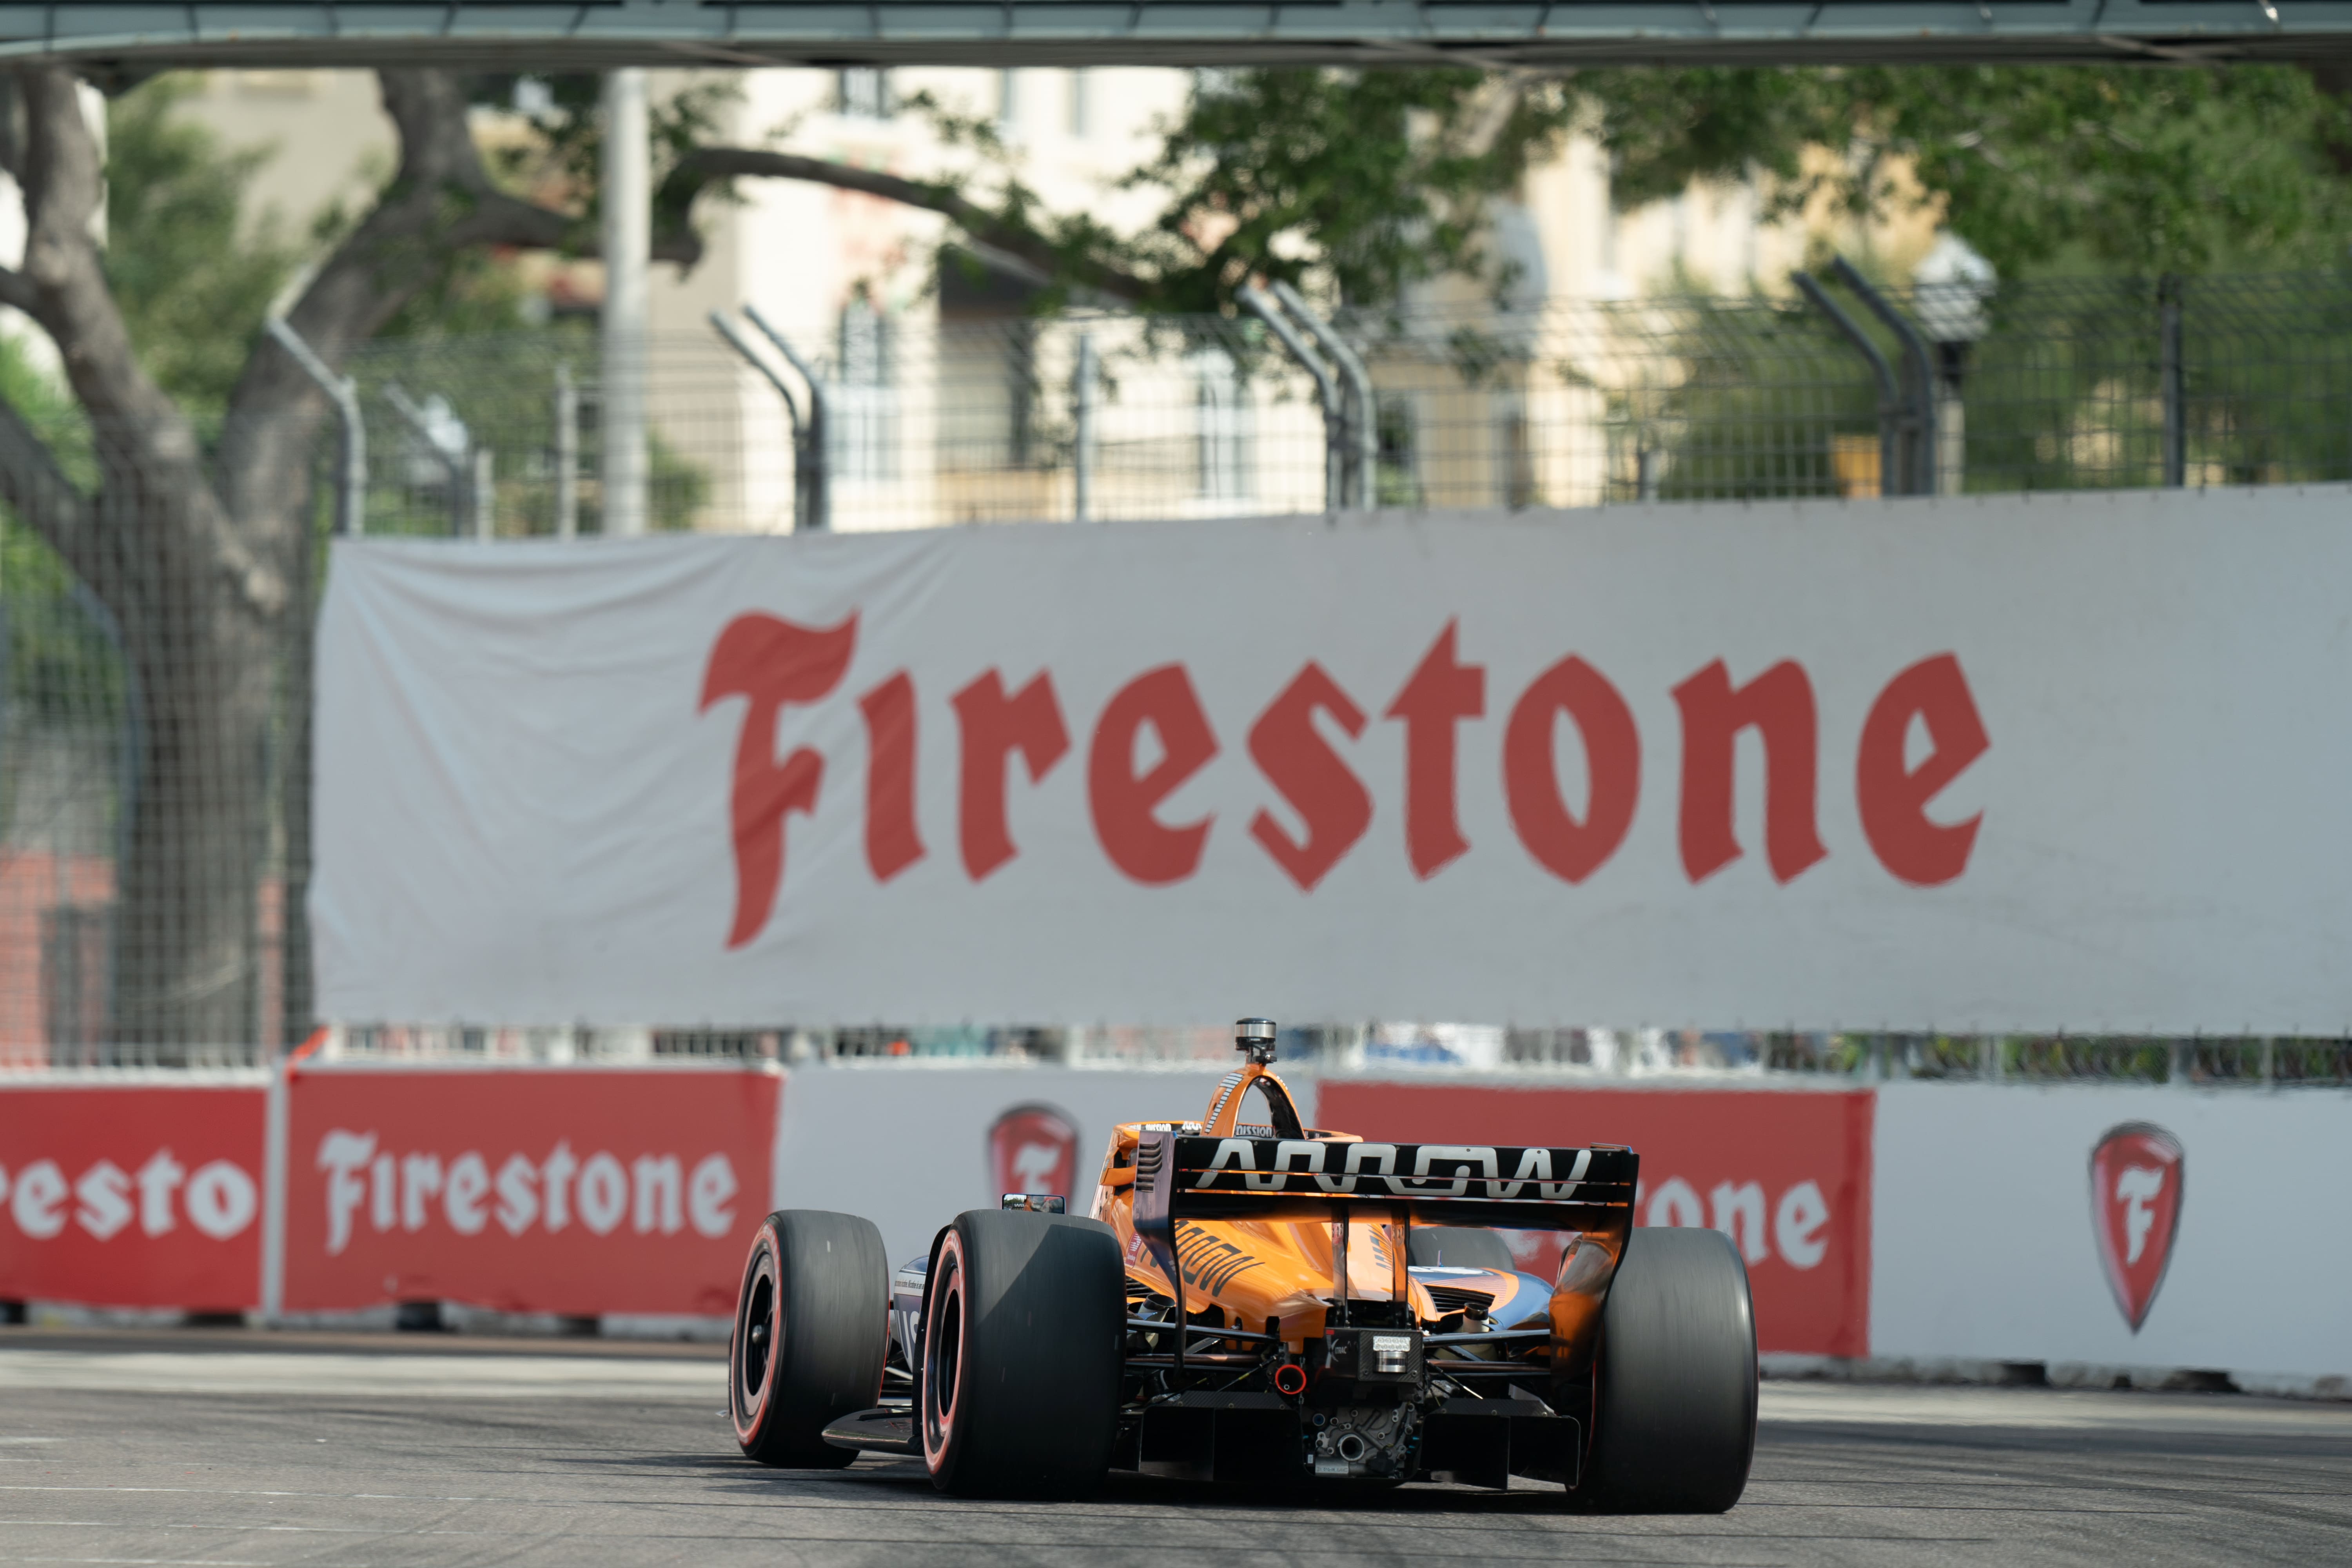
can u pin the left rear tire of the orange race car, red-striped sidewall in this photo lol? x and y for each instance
(1022, 1353)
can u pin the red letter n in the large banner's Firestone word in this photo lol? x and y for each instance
(1779, 704)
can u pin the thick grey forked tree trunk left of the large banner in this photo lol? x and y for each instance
(196, 532)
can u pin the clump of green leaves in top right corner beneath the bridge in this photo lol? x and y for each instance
(2120, 168)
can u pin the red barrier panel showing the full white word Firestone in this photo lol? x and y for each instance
(561, 1191)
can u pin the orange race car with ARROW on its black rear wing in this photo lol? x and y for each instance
(1203, 1325)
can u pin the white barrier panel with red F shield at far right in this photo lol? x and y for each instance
(1986, 1231)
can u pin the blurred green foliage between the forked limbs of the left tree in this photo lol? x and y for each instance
(192, 279)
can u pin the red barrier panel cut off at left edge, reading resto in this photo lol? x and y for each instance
(128, 1195)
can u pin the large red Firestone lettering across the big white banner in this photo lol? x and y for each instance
(777, 664)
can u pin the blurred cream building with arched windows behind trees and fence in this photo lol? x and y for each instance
(951, 403)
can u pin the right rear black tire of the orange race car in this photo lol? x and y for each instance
(1676, 1386)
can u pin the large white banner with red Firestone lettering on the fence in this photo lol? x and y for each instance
(1963, 765)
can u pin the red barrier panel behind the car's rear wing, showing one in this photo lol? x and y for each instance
(1786, 1174)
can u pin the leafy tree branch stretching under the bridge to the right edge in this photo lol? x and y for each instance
(1375, 180)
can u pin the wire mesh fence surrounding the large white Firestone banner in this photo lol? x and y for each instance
(154, 803)
